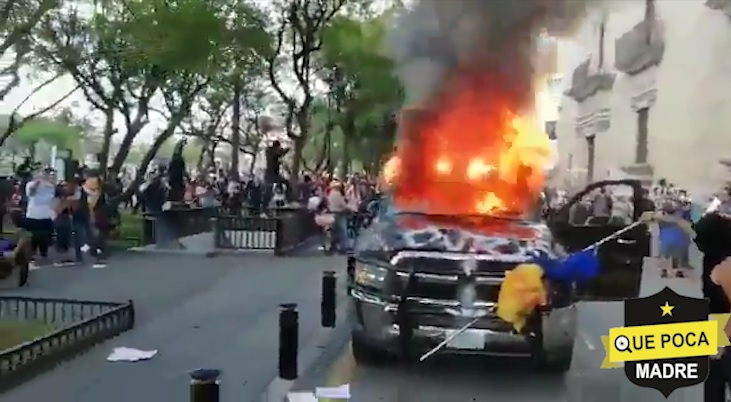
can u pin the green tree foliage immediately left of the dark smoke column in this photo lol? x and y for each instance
(364, 91)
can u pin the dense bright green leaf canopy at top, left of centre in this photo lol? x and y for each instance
(185, 35)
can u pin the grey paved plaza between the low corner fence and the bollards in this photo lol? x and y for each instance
(214, 313)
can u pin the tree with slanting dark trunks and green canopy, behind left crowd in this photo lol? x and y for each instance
(127, 56)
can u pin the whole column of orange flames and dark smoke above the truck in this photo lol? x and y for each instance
(468, 140)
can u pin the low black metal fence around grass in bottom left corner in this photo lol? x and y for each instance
(74, 326)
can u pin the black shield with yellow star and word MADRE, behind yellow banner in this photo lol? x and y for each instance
(648, 311)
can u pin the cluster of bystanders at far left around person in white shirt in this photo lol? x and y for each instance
(65, 220)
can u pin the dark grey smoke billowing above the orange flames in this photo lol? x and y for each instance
(435, 36)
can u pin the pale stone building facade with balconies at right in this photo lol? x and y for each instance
(652, 97)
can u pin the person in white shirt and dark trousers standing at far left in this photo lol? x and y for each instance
(39, 214)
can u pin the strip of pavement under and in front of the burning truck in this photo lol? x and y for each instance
(480, 379)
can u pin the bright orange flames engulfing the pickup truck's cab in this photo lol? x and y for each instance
(469, 153)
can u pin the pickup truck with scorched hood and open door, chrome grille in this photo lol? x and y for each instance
(415, 279)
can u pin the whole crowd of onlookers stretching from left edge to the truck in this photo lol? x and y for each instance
(69, 222)
